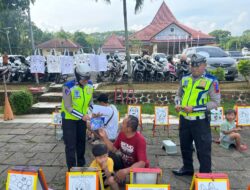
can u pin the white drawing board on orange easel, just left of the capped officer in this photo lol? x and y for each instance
(161, 115)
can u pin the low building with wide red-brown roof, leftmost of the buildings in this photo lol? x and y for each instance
(59, 45)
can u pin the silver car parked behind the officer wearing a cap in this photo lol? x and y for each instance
(216, 57)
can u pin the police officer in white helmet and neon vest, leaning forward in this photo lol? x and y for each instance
(77, 97)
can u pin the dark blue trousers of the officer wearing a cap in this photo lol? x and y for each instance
(198, 131)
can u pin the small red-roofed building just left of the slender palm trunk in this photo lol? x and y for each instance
(113, 44)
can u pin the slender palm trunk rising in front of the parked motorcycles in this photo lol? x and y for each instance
(127, 42)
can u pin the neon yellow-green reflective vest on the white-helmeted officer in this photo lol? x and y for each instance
(81, 98)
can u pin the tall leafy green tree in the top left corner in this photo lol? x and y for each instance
(14, 21)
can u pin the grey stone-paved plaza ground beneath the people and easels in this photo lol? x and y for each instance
(30, 140)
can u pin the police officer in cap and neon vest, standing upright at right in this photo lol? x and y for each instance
(197, 95)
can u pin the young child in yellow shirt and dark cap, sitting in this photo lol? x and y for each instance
(105, 164)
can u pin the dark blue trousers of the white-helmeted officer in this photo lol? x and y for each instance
(74, 136)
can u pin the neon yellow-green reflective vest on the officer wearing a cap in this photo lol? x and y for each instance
(195, 94)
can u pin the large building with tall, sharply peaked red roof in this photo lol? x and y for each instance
(165, 34)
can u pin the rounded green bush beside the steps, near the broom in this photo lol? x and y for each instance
(21, 102)
